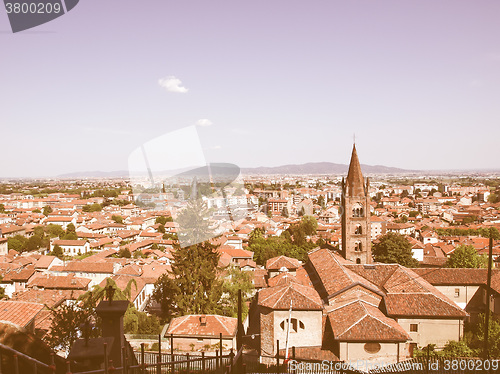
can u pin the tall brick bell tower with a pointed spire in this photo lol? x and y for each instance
(356, 235)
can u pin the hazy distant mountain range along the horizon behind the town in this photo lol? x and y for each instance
(292, 169)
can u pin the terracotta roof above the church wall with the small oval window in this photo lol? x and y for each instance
(359, 321)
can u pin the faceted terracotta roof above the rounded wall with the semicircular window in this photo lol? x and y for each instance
(279, 297)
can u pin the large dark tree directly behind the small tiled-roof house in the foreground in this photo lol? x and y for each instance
(192, 286)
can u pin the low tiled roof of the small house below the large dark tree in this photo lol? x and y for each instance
(203, 325)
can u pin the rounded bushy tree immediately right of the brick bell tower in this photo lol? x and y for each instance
(394, 248)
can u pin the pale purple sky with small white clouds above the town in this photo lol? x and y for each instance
(264, 83)
